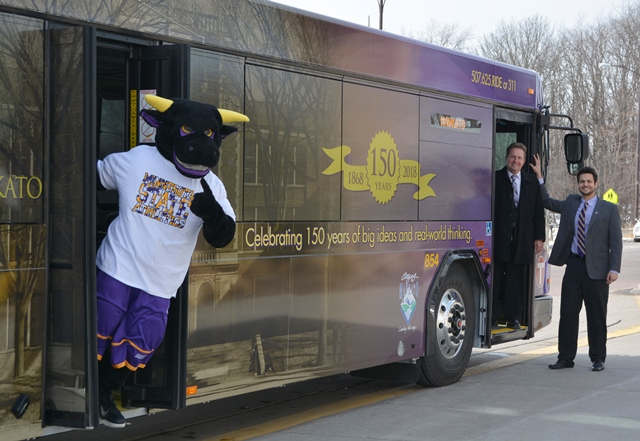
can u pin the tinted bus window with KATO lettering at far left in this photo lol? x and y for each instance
(21, 115)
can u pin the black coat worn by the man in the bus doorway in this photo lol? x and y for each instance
(529, 218)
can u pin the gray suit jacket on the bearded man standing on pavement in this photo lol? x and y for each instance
(604, 236)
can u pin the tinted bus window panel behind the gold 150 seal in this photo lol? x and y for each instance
(381, 173)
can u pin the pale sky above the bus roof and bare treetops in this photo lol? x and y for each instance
(481, 16)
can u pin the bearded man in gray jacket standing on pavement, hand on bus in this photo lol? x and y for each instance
(589, 242)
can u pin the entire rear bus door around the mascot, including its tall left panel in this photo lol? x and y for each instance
(94, 90)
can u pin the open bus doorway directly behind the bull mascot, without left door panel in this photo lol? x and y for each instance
(125, 72)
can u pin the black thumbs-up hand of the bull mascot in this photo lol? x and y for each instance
(219, 228)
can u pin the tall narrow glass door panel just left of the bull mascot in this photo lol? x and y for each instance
(70, 388)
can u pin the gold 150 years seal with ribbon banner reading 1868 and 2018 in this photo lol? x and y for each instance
(383, 173)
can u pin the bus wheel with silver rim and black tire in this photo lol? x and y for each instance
(452, 338)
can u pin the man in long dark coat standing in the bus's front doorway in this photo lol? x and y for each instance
(519, 231)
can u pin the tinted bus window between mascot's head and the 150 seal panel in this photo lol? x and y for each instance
(294, 116)
